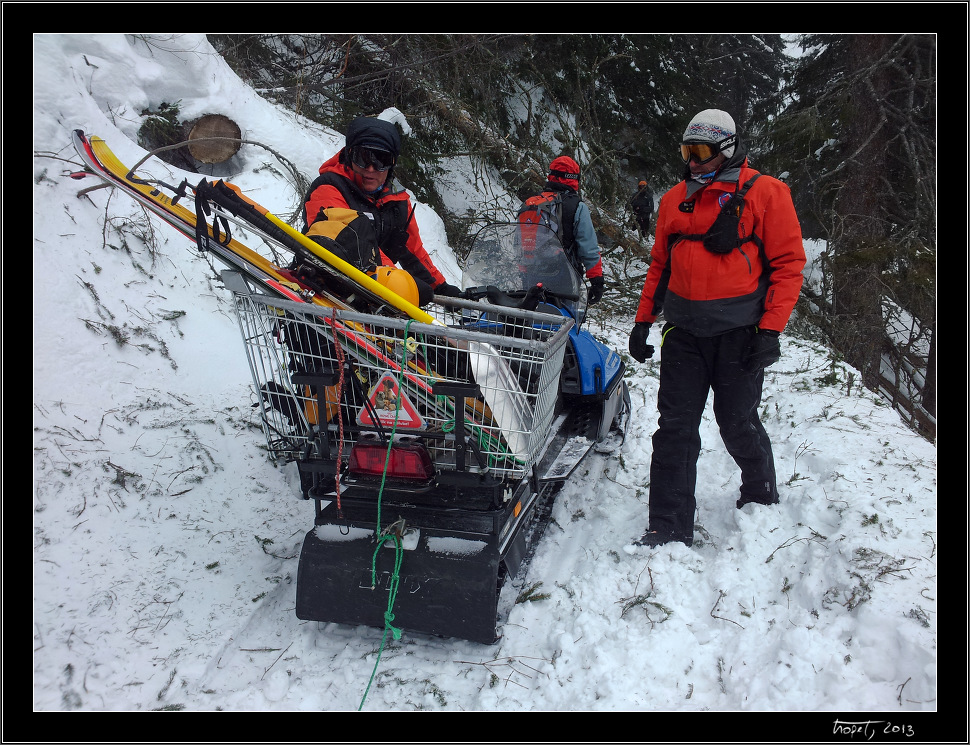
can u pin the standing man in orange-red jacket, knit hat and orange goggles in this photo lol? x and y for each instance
(726, 277)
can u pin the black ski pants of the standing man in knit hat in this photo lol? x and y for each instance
(690, 366)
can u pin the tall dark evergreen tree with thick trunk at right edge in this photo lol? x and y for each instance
(860, 138)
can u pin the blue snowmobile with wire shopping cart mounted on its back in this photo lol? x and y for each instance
(433, 452)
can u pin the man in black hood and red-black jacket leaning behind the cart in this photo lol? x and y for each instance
(356, 211)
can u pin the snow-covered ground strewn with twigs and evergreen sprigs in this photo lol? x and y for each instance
(165, 543)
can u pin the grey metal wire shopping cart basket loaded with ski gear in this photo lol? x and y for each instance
(478, 386)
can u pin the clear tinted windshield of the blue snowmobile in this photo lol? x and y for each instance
(515, 257)
